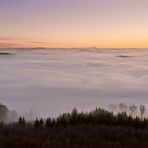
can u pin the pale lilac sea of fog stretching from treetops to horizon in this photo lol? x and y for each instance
(46, 82)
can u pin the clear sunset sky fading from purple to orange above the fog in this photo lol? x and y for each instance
(74, 23)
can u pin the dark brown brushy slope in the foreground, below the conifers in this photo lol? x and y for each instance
(78, 136)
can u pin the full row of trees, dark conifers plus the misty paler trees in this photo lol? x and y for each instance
(120, 114)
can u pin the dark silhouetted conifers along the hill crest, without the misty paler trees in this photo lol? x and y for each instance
(98, 116)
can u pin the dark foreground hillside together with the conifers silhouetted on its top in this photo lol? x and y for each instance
(96, 129)
